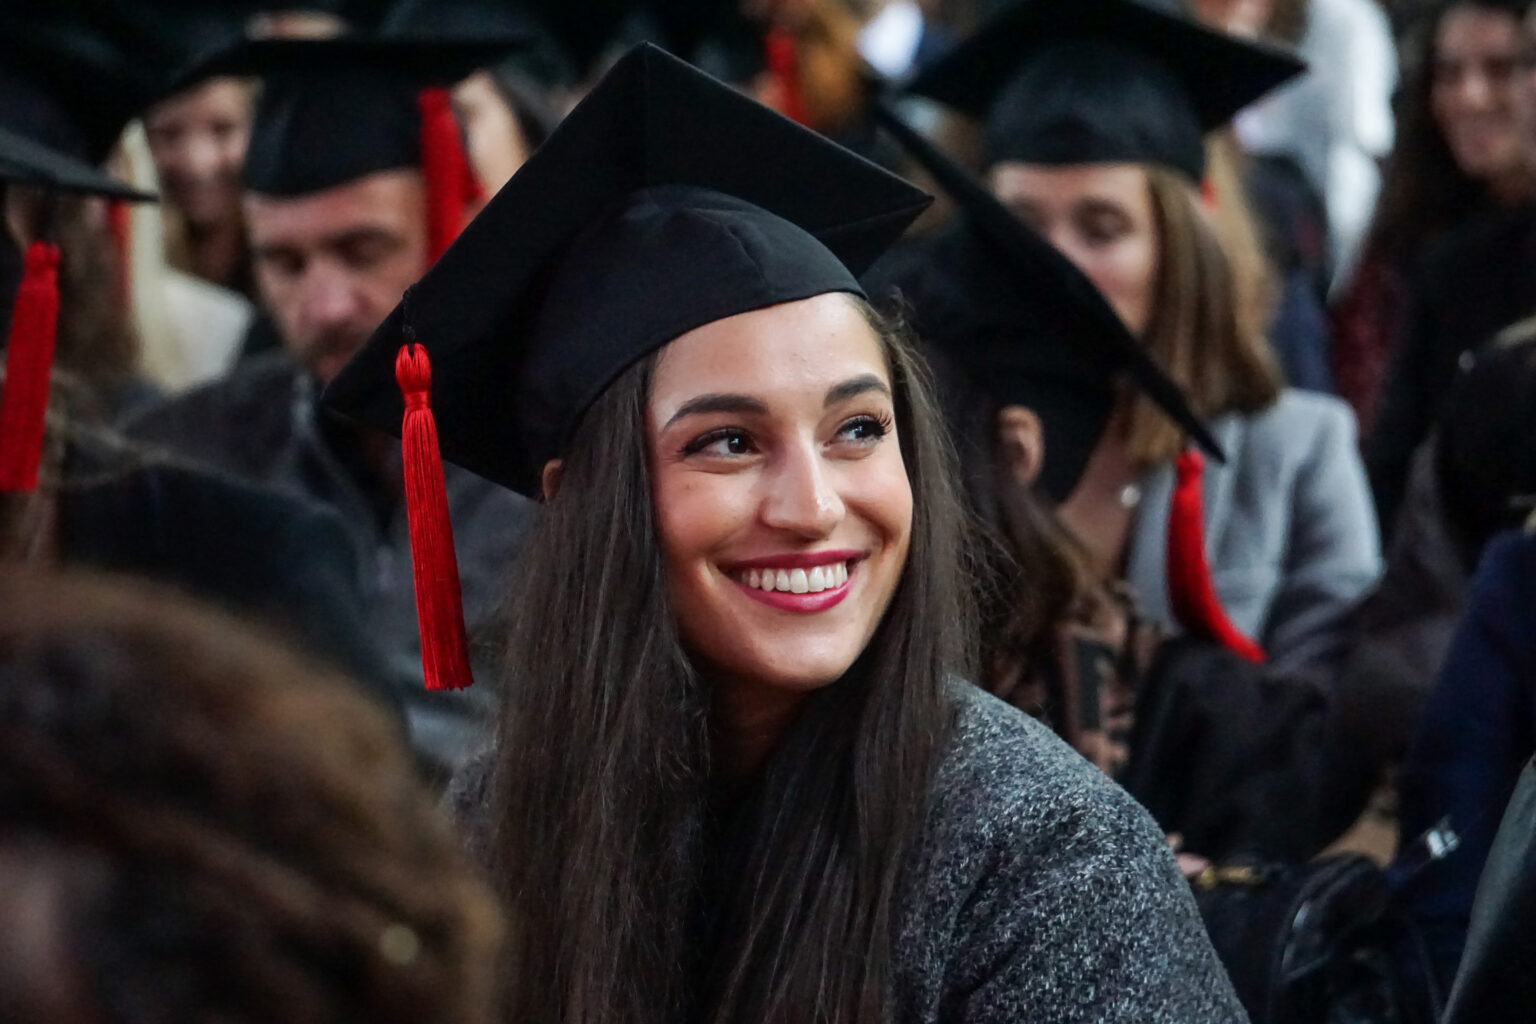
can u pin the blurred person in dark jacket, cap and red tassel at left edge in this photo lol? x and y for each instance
(74, 494)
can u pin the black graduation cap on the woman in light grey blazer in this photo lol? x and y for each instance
(1068, 82)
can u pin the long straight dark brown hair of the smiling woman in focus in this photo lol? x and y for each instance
(606, 839)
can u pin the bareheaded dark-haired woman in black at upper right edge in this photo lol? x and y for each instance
(1451, 253)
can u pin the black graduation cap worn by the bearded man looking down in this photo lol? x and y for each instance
(337, 110)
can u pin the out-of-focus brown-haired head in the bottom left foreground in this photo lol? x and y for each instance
(199, 825)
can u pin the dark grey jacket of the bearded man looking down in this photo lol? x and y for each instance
(263, 424)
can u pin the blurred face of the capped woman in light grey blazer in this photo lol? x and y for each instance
(1101, 219)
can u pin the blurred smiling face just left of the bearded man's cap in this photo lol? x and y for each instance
(199, 145)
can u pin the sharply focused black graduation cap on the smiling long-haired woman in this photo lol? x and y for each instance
(664, 202)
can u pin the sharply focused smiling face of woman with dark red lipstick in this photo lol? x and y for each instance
(783, 503)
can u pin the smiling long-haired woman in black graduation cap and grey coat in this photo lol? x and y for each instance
(740, 776)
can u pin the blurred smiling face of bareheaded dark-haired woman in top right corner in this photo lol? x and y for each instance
(1480, 93)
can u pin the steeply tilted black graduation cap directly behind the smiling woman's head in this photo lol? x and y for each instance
(1027, 325)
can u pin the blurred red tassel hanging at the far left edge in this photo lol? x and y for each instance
(28, 365)
